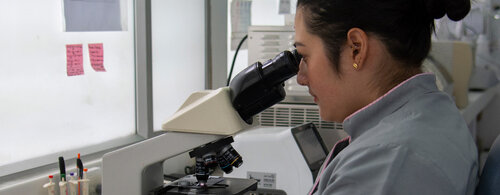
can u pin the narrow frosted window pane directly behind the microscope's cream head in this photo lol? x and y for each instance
(178, 33)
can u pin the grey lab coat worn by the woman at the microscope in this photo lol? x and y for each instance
(412, 140)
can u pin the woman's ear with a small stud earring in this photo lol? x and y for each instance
(357, 42)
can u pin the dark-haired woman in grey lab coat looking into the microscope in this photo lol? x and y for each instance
(361, 62)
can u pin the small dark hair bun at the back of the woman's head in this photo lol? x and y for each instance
(455, 9)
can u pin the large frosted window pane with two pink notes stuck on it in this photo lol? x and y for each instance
(44, 110)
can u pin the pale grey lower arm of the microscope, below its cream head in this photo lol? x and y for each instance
(137, 169)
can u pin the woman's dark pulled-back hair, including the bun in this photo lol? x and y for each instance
(404, 26)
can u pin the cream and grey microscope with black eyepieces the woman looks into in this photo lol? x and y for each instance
(203, 126)
